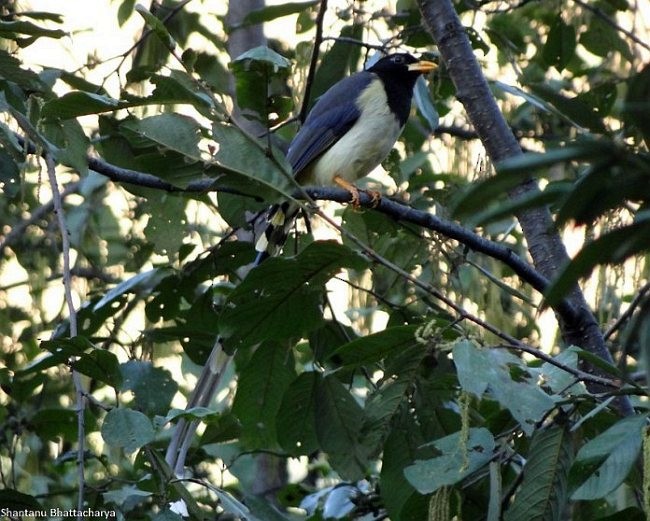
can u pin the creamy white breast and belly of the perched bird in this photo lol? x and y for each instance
(365, 145)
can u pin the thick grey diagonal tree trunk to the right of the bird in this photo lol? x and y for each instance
(545, 245)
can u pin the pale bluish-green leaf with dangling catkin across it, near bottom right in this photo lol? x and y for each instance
(429, 475)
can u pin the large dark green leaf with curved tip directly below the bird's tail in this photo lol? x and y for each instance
(258, 308)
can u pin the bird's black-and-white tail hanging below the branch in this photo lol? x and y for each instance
(272, 228)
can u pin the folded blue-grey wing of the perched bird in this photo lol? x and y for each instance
(330, 118)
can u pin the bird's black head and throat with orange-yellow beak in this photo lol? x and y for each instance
(399, 72)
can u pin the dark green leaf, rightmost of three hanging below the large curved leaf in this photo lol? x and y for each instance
(338, 428)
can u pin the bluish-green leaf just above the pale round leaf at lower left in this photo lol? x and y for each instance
(153, 387)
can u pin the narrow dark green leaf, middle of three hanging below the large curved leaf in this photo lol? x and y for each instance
(296, 418)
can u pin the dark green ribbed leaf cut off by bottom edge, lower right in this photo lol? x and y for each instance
(543, 492)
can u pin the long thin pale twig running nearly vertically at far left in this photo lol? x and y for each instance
(72, 317)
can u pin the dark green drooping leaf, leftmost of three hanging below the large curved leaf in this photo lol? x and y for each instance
(260, 388)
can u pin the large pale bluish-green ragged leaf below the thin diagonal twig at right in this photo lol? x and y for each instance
(524, 399)
